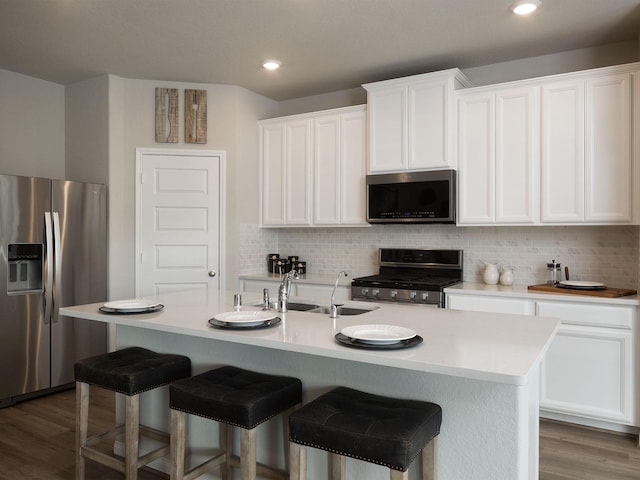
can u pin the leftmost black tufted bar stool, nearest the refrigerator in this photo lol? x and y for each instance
(129, 371)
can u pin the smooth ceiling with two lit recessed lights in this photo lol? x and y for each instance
(324, 45)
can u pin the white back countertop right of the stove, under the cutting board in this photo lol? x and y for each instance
(522, 291)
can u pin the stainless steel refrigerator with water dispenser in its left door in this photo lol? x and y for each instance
(52, 255)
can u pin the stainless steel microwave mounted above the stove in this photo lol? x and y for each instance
(412, 197)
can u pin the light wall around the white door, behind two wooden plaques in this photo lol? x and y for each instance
(232, 114)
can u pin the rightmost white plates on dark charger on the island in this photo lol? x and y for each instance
(378, 336)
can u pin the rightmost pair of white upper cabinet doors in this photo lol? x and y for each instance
(588, 164)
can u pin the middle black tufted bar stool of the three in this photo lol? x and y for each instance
(232, 397)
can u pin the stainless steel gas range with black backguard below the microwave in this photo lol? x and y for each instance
(416, 276)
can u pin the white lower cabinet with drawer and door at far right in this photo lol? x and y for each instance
(589, 368)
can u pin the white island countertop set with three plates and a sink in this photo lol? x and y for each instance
(490, 347)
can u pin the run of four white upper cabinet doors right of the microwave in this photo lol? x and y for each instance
(558, 150)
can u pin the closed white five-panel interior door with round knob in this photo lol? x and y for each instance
(179, 220)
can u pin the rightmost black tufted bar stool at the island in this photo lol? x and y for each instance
(382, 430)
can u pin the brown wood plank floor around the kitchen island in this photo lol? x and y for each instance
(37, 442)
